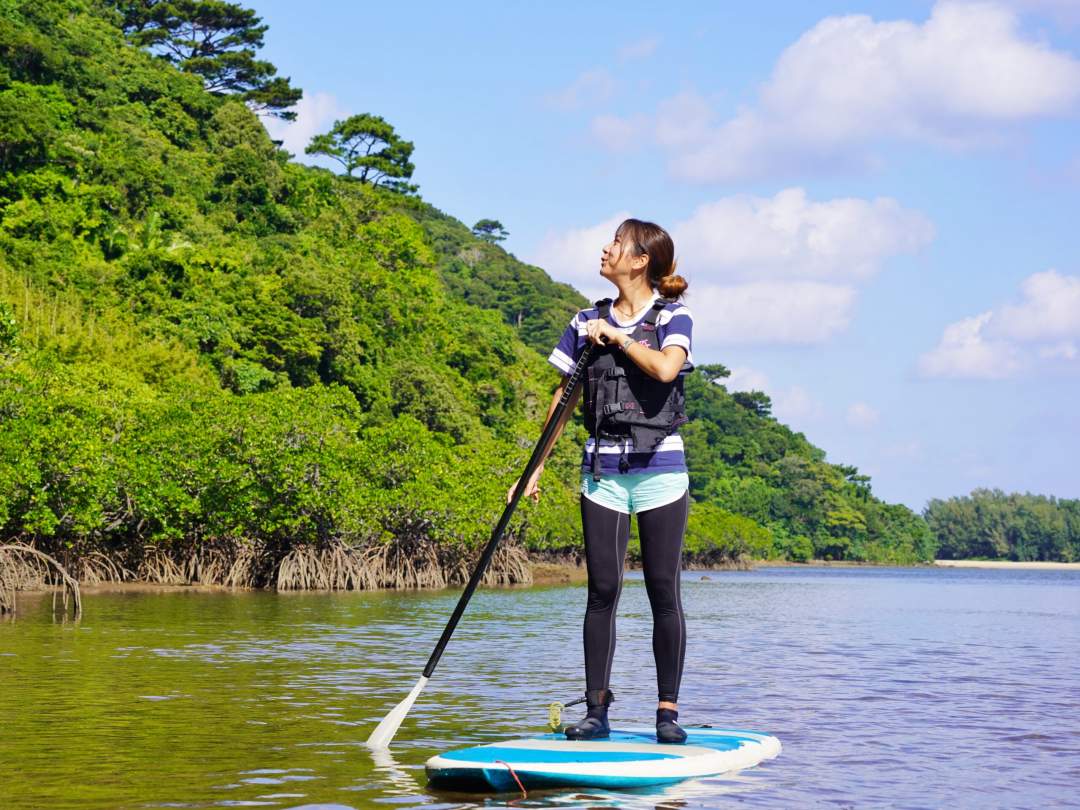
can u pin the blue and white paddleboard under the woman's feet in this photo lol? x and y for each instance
(629, 759)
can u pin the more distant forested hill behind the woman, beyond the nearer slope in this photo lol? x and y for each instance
(760, 489)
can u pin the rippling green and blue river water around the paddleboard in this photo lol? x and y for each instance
(888, 687)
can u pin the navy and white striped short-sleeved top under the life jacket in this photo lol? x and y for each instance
(674, 328)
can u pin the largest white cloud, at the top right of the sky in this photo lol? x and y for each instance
(962, 78)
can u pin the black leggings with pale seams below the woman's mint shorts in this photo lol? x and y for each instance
(607, 533)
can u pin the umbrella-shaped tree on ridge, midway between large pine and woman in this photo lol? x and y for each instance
(368, 143)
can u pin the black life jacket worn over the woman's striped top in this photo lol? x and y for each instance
(624, 402)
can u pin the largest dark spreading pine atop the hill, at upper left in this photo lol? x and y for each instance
(214, 40)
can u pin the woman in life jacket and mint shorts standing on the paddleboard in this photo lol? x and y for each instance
(633, 461)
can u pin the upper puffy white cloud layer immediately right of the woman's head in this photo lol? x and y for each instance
(790, 237)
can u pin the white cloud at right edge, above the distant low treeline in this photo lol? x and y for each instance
(1001, 343)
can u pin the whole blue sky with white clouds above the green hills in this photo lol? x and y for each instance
(874, 204)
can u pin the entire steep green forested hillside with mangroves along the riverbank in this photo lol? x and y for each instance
(221, 366)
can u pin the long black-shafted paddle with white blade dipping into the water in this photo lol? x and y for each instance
(386, 731)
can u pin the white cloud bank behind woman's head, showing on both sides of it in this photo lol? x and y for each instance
(766, 271)
